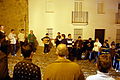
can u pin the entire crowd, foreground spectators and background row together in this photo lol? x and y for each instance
(68, 50)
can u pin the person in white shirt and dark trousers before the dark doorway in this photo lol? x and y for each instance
(96, 49)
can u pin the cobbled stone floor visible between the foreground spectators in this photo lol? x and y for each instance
(42, 60)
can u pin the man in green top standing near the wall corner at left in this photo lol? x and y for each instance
(31, 40)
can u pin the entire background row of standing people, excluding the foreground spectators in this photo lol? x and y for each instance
(78, 49)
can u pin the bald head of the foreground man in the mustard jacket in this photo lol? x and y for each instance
(62, 50)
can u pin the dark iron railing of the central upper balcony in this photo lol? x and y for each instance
(79, 17)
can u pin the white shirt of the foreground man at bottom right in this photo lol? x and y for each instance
(100, 76)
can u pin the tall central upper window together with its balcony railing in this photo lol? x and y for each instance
(79, 16)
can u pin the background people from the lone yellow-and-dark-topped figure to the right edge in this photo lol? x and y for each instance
(85, 49)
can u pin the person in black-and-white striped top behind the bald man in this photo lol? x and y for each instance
(70, 43)
